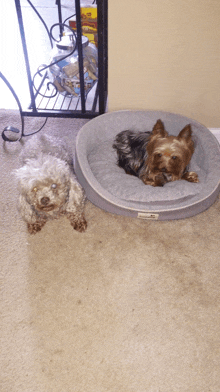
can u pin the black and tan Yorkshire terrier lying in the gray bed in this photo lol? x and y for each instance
(155, 157)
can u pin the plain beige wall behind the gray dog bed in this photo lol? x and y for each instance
(165, 55)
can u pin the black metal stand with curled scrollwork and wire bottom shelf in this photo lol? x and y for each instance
(100, 96)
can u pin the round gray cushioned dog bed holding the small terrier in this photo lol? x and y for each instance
(110, 188)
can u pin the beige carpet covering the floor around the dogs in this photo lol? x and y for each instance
(128, 306)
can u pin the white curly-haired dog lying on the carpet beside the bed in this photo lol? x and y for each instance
(48, 188)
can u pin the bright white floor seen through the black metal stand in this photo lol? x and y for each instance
(12, 63)
